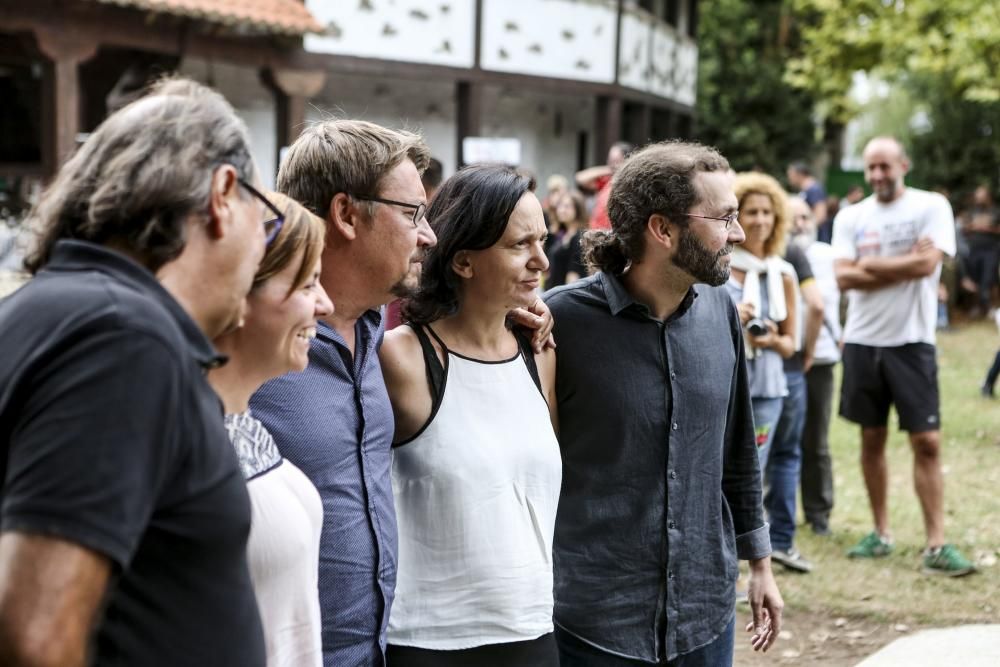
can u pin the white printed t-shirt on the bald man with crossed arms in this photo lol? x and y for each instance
(905, 312)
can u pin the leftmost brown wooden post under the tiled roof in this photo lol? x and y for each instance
(66, 50)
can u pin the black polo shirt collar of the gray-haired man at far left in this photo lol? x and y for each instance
(75, 255)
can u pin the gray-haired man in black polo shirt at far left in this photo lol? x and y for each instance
(124, 515)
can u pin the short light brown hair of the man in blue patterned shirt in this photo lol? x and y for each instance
(345, 156)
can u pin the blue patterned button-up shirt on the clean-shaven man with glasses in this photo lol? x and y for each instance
(334, 421)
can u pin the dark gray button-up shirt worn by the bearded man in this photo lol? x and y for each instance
(661, 488)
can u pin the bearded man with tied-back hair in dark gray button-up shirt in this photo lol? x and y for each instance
(661, 486)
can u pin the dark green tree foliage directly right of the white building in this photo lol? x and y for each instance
(745, 107)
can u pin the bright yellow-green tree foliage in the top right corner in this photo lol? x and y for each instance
(955, 42)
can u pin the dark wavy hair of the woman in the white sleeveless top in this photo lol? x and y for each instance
(469, 212)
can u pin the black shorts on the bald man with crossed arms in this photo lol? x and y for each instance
(904, 376)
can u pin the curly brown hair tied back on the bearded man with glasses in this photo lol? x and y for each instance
(656, 179)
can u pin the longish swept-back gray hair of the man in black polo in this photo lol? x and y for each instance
(141, 175)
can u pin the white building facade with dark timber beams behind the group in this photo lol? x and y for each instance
(564, 78)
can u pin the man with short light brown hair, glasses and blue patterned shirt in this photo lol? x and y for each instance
(334, 420)
